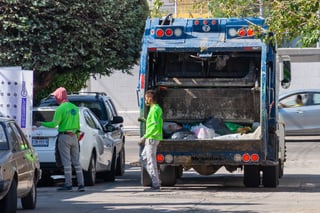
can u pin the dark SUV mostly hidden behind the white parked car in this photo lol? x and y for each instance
(102, 106)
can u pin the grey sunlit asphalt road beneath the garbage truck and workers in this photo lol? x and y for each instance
(298, 191)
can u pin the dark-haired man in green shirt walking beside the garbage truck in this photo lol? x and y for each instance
(151, 139)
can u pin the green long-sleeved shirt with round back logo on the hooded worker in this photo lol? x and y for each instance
(66, 117)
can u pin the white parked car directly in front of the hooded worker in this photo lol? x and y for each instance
(99, 148)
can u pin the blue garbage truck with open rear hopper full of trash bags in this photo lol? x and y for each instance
(218, 82)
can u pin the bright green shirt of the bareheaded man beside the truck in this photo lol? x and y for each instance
(154, 123)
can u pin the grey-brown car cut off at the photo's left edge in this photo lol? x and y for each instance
(19, 168)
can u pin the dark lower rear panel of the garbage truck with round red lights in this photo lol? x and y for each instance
(213, 152)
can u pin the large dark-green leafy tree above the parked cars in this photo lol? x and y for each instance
(66, 41)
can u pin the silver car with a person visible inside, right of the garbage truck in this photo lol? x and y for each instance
(300, 119)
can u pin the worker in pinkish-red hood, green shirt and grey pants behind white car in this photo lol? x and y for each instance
(67, 119)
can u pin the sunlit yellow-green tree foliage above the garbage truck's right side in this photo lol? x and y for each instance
(287, 19)
